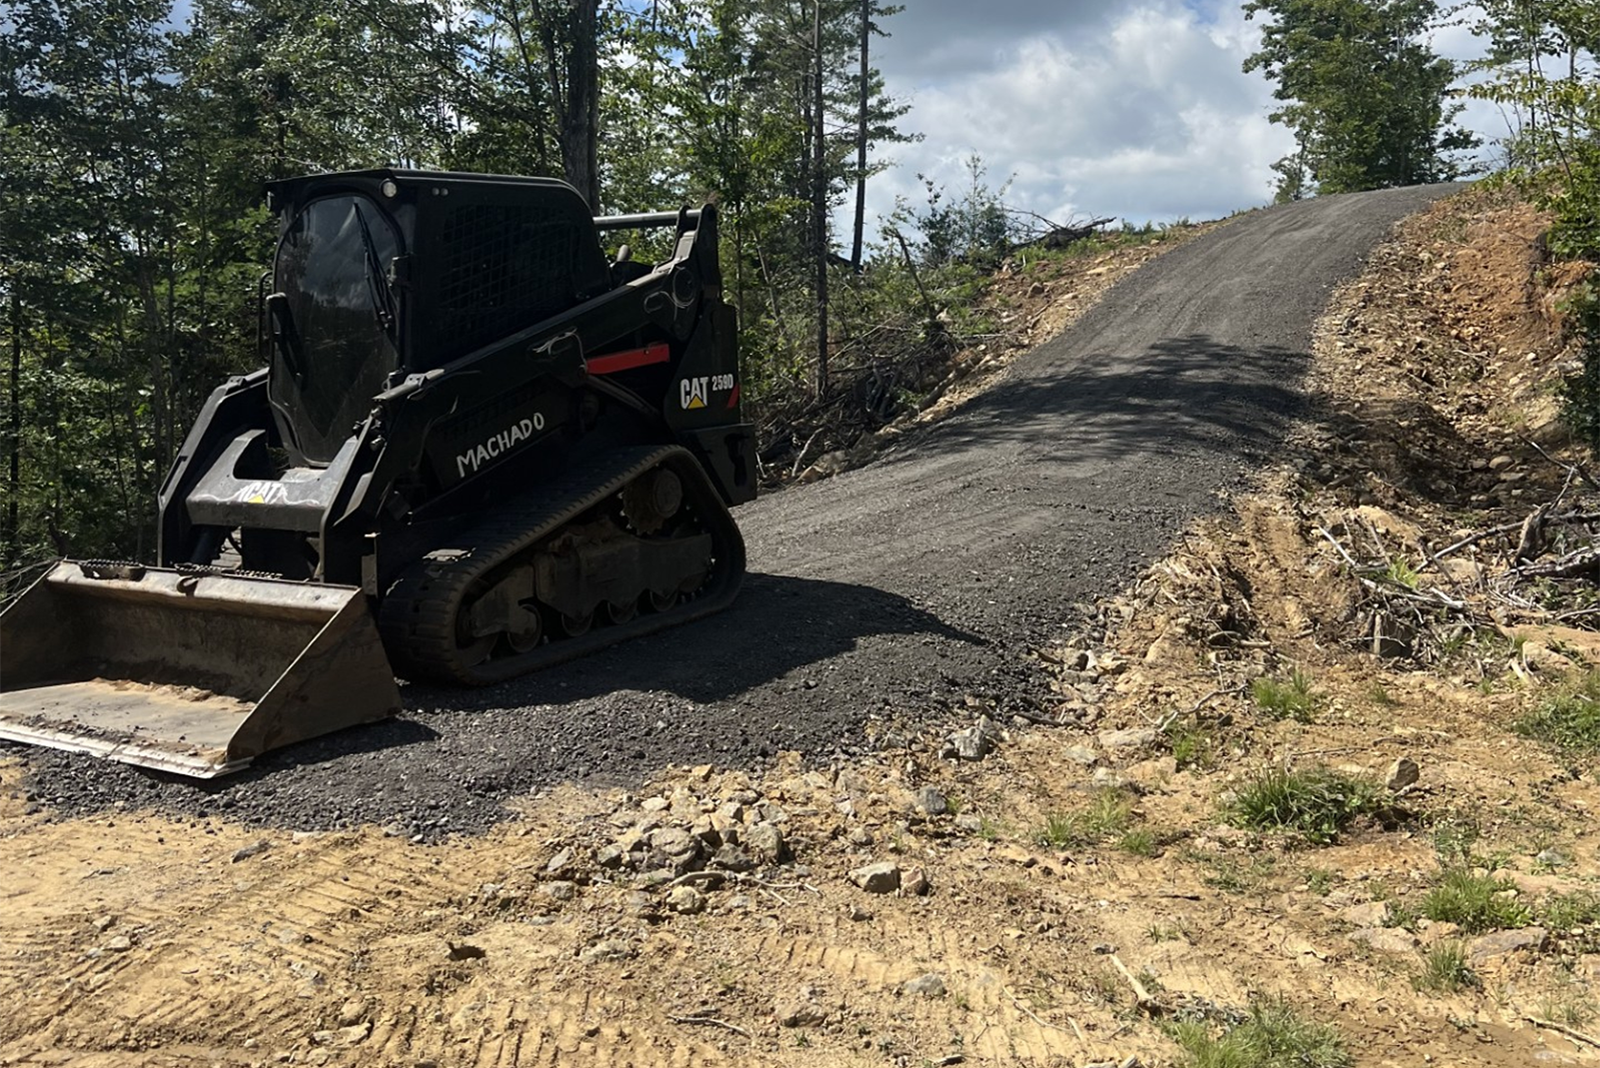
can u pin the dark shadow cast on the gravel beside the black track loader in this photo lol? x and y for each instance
(777, 626)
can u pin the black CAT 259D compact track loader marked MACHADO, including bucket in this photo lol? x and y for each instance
(478, 448)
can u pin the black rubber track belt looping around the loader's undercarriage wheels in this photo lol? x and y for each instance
(418, 615)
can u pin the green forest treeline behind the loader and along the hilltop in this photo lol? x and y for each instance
(134, 151)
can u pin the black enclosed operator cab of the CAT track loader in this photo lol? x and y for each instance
(390, 273)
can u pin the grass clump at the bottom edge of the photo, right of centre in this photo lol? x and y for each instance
(1273, 1035)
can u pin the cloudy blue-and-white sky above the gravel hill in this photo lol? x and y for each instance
(1092, 108)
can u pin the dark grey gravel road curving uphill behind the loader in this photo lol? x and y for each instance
(886, 594)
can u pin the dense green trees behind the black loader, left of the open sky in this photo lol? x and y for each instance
(132, 231)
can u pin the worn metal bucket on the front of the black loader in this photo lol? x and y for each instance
(193, 674)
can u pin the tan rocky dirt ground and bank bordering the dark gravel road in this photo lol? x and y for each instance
(1015, 895)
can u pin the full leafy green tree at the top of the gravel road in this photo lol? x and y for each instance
(1364, 97)
